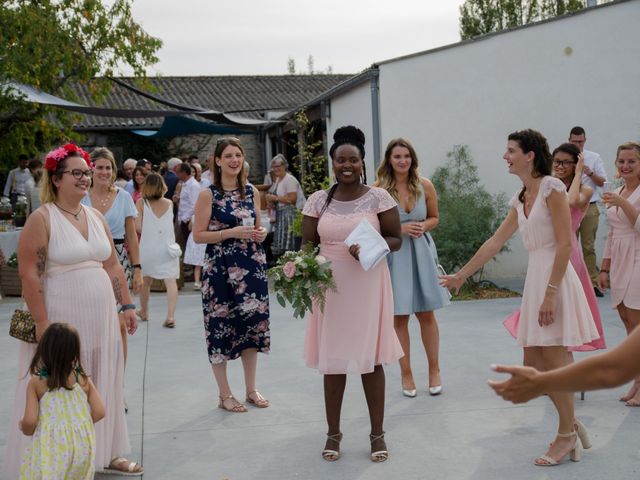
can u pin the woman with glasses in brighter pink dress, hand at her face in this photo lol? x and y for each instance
(568, 164)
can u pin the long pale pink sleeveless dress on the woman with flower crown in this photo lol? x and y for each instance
(77, 290)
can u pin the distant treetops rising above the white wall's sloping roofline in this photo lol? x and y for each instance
(479, 17)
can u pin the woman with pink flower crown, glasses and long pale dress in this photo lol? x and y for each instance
(71, 273)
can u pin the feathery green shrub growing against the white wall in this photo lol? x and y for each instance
(468, 213)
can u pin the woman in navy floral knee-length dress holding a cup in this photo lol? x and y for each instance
(235, 297)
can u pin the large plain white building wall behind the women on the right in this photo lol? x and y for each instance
(581, 70)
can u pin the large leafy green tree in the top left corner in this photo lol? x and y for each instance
(51, 44)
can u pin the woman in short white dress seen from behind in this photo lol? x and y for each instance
(160, 255)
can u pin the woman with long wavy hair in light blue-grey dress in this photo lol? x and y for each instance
(414, 268)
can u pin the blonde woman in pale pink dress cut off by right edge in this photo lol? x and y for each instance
(621, 259)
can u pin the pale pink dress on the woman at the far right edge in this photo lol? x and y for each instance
(623, 248)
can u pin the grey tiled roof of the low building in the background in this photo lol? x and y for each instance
(248, 96)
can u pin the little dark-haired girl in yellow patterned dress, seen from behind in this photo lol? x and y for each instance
(62, 406)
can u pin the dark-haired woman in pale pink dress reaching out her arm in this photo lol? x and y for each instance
(554, 313)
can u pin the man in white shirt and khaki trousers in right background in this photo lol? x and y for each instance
(594, 176)
